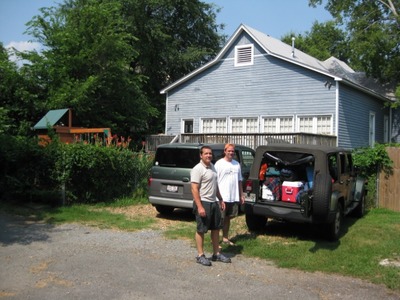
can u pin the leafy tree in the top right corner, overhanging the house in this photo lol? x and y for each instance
(373, 31)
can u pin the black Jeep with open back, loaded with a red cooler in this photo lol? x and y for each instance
(303, 183)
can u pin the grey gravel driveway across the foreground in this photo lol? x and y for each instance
(70, 261)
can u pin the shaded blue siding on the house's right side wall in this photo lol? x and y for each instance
(354, 111)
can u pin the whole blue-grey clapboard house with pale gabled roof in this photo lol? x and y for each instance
(278, 85)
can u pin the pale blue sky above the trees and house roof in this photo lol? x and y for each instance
(273, 17)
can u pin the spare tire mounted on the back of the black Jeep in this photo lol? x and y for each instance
(322, 195)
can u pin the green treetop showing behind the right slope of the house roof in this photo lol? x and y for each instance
(322, 41)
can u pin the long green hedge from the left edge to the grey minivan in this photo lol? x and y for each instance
(70, 173)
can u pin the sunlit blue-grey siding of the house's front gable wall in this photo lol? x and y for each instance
(269, 87)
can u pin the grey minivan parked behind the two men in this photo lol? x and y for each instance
(169, 182)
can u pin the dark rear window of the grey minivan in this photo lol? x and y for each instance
(177, 158)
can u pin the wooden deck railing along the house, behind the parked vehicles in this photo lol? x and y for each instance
(251, 140)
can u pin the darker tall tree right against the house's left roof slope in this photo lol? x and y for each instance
(174, 37)
